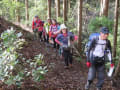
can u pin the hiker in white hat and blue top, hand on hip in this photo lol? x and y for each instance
(64, 40)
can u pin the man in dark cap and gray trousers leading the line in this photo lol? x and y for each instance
(99, 48)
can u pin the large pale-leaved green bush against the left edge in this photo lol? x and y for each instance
(9, 56)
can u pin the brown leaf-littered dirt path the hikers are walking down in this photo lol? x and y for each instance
(57, 77)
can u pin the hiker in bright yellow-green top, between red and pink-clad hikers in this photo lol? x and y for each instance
(47, 27)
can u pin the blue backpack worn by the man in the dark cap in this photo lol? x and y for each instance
(93, 35)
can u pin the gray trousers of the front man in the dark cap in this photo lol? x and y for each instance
(99, 71)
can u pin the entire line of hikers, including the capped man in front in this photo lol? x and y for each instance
(98, 47)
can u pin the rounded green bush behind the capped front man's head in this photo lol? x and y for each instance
(96, 23)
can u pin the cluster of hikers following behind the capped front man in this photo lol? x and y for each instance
(58, 35)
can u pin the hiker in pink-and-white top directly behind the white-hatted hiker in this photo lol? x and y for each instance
(54, 32)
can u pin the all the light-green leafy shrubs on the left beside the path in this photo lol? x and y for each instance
(12, 71)
